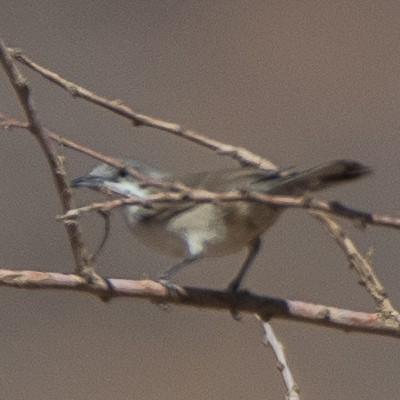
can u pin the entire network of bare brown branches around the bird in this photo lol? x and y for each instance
(386, 322)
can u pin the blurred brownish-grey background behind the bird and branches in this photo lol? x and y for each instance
(299, 82)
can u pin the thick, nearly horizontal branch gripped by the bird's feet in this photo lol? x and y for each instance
(243, 302)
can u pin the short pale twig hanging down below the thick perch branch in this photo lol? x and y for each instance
(271, 340)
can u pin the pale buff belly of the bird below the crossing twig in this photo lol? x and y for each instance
(207, 229)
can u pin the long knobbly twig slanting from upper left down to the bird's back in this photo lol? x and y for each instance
(240, 154)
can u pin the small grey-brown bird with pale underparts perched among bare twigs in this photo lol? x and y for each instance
(190, 230)
